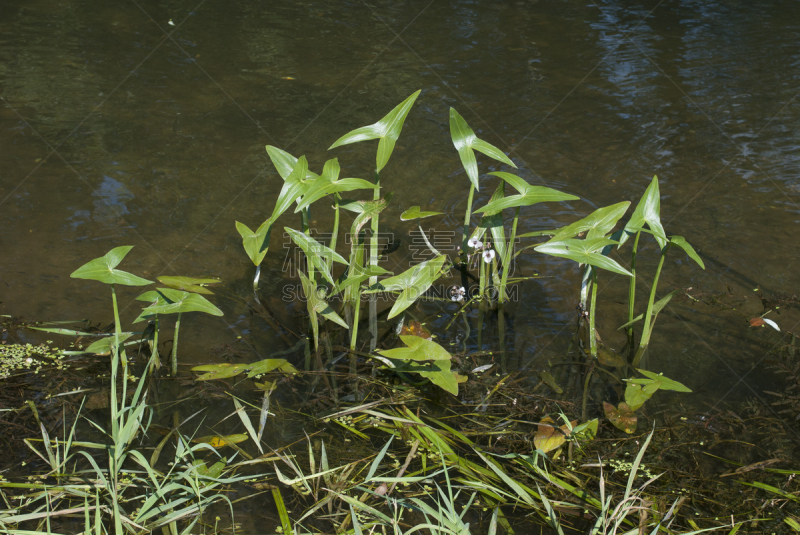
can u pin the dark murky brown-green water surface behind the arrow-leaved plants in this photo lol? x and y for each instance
(144, 123)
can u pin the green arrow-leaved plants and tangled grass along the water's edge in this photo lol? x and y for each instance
(472, 460)
